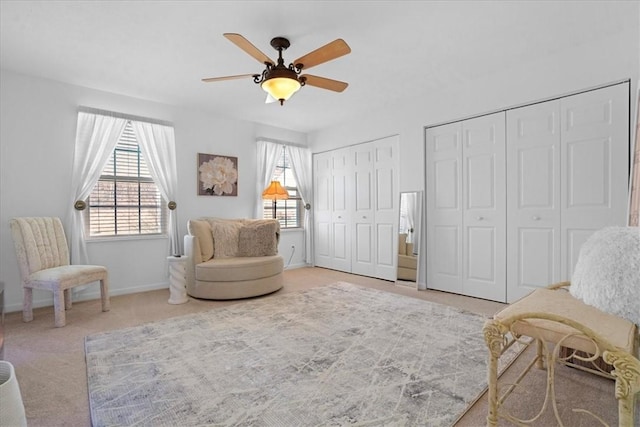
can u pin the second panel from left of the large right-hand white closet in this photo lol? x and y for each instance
(484, 207)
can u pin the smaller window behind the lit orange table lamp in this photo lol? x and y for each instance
(289, 212)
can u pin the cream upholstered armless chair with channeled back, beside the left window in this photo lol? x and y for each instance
(43, 258)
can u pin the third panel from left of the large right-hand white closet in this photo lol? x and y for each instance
(533, 198)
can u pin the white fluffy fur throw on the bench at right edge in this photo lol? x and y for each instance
(607, 274)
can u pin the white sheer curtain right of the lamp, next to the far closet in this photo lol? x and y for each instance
(302, 170)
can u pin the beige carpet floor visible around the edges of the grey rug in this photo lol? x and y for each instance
(50, 362)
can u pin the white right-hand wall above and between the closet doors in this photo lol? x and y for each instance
(607, 60)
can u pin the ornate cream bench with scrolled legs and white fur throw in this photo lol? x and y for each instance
(589, 323)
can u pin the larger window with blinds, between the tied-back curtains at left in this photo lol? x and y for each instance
(126, 201)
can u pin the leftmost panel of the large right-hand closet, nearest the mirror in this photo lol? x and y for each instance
(444, 207)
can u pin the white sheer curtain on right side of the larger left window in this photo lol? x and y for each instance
(157, 143)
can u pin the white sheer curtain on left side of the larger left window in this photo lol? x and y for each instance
(96, 138)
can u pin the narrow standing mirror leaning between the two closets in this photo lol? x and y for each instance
(408, 235)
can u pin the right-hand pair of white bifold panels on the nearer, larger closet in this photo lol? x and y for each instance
(568, 168)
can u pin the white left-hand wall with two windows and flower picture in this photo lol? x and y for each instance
(37, 135)
